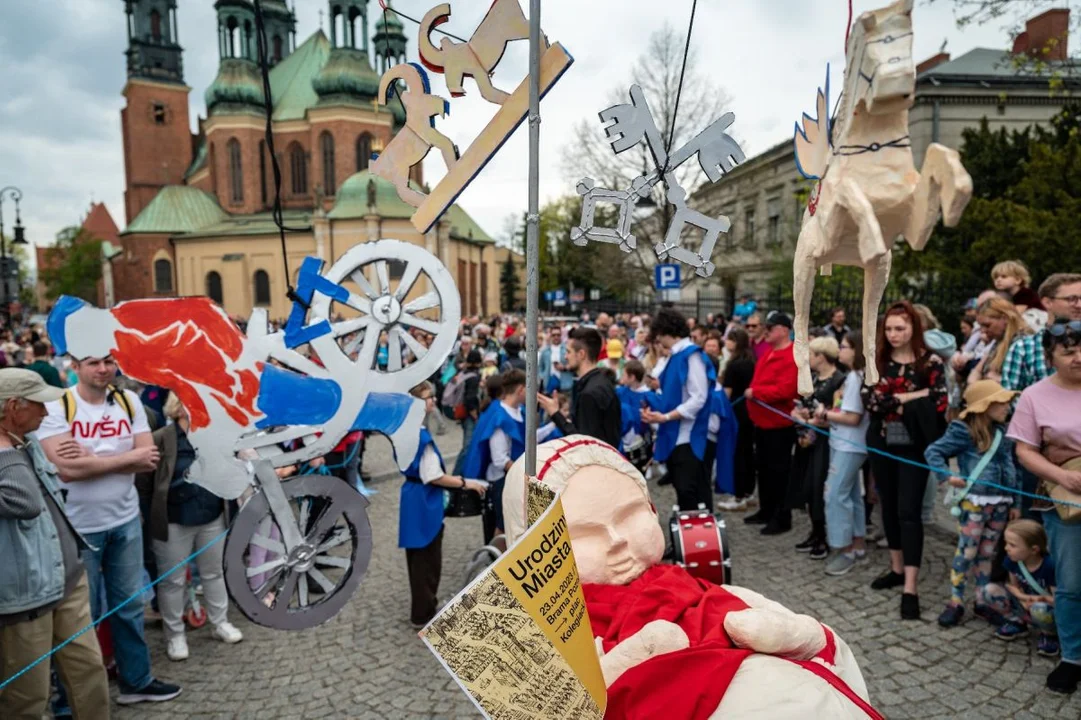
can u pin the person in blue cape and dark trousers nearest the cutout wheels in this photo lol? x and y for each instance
(421, 518)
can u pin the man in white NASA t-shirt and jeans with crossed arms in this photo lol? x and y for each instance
(99, 454)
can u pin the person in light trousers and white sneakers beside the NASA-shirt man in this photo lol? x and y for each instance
(185, 517)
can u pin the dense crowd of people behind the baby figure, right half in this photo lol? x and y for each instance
(981, 419)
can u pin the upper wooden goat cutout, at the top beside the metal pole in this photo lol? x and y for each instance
(477, 59)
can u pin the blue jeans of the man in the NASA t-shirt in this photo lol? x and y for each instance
(118, 564)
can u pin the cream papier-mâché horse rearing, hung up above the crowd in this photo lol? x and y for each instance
(870, 192)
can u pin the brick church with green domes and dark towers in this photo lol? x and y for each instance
(199, 206)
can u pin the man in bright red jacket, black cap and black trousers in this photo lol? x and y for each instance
(771, 399)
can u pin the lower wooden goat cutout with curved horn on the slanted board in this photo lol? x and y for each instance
(413, 142)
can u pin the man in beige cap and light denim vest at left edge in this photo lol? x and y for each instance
(45, 597)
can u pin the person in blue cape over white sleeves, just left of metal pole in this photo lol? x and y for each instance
(499, 441)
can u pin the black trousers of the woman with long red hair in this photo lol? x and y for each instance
(901, 494)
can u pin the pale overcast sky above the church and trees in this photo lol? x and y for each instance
(63, 71)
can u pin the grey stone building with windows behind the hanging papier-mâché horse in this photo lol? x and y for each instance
(766, 196)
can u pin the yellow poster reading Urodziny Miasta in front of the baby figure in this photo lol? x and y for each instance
(518, 638)
